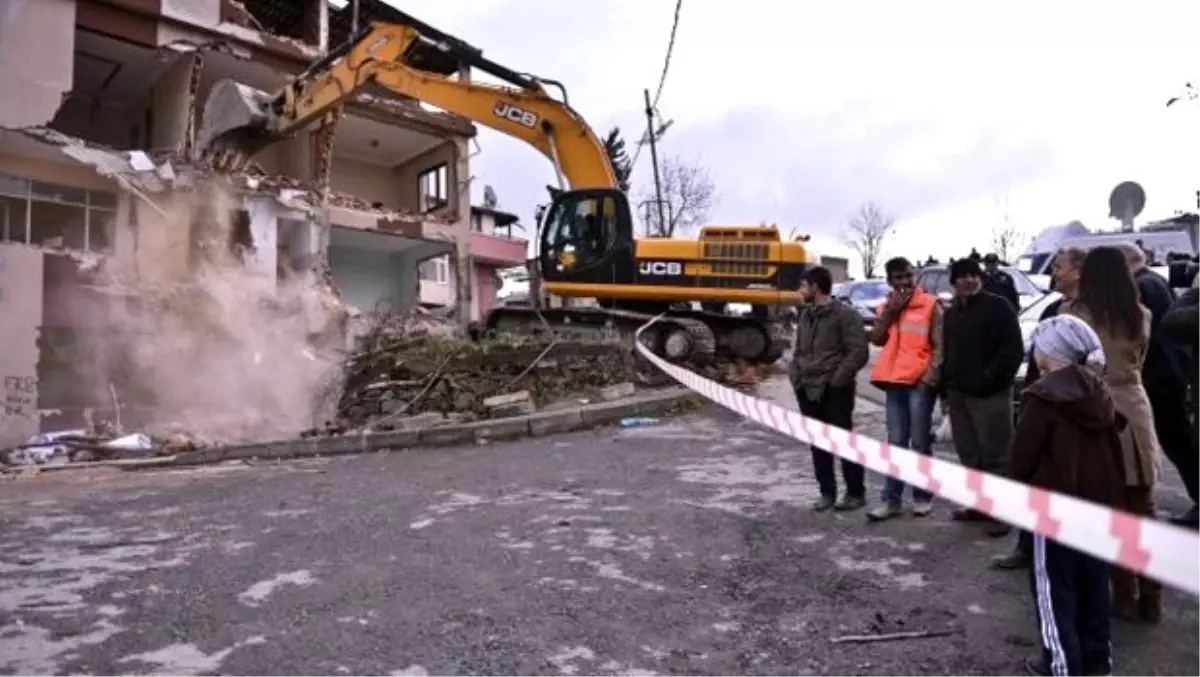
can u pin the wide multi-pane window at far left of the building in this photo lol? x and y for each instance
(52, 215)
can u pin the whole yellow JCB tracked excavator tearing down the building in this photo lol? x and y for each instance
(586, 243)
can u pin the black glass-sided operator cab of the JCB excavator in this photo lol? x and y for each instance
(587, 236)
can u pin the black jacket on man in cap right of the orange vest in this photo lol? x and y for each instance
(983, 345)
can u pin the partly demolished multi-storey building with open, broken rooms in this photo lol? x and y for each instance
(99, 148)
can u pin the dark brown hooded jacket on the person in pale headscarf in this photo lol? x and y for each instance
(1069, 438)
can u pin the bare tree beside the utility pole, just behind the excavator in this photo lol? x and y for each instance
(688, 195)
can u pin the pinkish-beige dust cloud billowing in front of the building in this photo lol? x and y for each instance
(219, 351)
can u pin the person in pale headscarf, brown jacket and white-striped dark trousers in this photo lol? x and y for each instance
(1067, 442)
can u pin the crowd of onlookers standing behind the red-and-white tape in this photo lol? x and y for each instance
(1106, 396)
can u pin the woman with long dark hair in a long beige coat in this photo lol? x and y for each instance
(1108, 302)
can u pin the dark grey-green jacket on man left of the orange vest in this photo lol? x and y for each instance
(831, 346)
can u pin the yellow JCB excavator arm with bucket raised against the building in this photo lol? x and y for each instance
(241, 121)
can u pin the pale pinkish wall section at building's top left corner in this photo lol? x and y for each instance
(38, 49)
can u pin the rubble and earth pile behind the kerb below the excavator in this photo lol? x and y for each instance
(405, 369)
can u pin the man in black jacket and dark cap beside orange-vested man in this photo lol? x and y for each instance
(983, 351)
